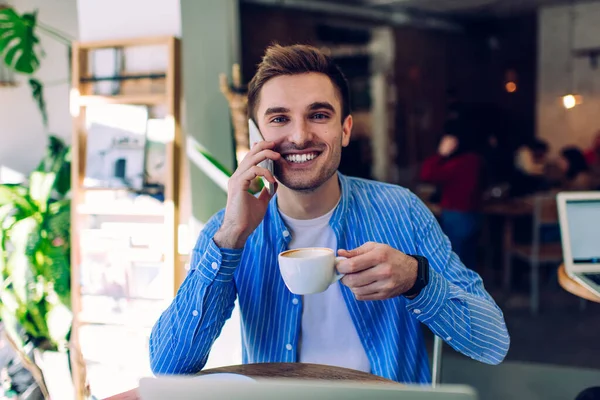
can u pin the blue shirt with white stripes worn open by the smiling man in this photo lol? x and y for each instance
(454, 305)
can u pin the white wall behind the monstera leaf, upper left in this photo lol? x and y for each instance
(22, 135)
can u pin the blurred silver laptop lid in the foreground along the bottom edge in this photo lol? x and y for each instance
(192, 388)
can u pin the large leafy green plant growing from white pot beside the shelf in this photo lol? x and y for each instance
(35, 293)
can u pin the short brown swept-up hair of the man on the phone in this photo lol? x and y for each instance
(296, 59)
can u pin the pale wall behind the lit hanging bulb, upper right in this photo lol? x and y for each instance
(558, 126)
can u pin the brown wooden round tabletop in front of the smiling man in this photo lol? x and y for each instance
(283, 370)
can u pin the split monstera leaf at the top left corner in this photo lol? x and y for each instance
(18, 41)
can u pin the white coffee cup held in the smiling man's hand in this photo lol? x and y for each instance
(309, 270)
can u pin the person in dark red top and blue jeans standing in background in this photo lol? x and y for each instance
(457, 169)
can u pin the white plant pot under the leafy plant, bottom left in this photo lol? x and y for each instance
(57, 375)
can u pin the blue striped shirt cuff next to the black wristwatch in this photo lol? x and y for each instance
(431, 299)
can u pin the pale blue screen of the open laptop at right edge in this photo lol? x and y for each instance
(583, 217)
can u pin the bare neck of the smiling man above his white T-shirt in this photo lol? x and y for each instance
(309, 205)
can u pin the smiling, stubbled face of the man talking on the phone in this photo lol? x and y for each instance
(302, 115)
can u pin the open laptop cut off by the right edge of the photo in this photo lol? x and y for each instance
(579, 216)
